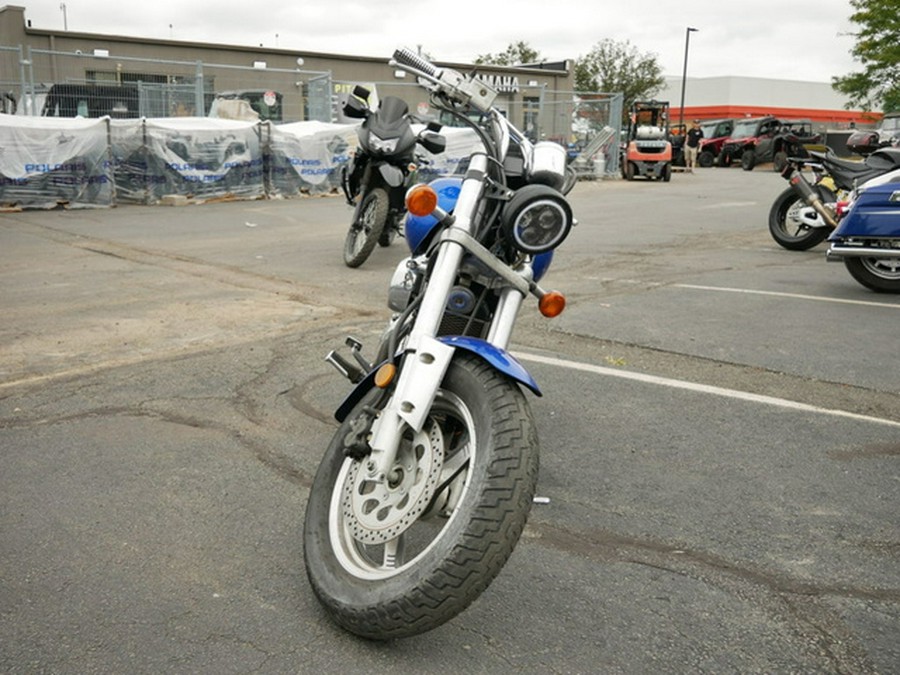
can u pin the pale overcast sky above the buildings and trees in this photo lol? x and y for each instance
(802, 40)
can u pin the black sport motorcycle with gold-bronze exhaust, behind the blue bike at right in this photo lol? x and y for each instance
(803, 215)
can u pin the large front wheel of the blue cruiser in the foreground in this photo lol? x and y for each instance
(398, 559)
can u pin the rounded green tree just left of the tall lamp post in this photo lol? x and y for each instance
(613, 66)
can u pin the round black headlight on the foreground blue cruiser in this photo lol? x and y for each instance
(537, 219)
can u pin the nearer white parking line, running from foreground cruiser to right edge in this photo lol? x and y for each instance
(700, 388)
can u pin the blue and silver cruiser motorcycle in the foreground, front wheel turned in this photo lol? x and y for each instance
(426, 487)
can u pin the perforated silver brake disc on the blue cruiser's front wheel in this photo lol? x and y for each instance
(378, 512)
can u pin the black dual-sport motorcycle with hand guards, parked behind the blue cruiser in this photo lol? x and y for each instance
(376, 178)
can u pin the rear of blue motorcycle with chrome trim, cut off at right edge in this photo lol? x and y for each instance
(867, 238)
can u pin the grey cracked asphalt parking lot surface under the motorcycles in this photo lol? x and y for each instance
(720, 441)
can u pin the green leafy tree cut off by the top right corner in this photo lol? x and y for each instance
(878, 50)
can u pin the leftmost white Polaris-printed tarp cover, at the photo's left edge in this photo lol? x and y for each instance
(45, 162)
